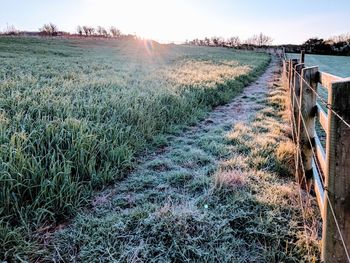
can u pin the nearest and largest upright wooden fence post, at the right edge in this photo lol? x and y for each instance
(337, 175)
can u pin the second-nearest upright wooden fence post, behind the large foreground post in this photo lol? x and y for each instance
(308, 113)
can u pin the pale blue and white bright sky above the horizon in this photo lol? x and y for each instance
(287, 22)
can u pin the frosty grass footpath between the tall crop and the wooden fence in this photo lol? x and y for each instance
(219, 192)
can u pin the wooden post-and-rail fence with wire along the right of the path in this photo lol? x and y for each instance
(326, 169)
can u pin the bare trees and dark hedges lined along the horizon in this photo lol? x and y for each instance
(337, 45)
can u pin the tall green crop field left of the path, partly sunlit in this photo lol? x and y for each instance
(76, 114)
